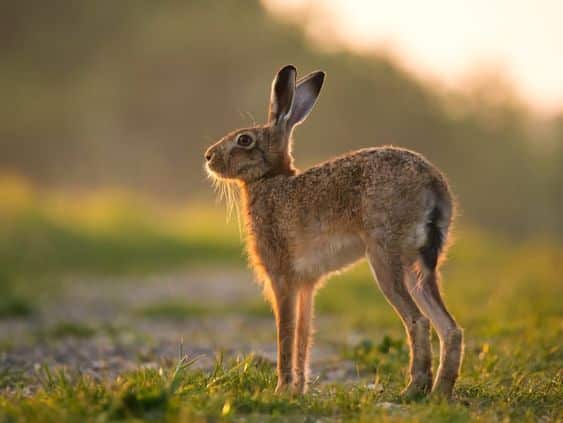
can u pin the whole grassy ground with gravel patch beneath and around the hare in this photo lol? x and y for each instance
(133, 320)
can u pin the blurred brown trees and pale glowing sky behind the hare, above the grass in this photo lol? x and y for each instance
(128, 95)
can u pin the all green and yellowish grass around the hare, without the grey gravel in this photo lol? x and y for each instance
(506, 295)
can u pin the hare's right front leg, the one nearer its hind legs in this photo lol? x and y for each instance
(304, 338)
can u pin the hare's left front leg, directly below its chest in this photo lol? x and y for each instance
(285, 310)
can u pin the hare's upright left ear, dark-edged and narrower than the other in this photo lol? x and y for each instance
(281, 97)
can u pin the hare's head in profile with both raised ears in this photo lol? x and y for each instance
(253, 153)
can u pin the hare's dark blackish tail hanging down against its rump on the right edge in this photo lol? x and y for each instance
(437, 227)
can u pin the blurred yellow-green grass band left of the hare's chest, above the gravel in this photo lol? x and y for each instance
(45, 238)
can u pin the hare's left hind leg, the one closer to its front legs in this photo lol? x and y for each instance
(388, 270)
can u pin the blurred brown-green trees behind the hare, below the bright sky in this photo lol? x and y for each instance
(130, 93)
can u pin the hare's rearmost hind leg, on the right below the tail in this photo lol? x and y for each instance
(426, 293)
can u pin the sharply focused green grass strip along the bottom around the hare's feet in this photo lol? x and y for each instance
(243, 388)
